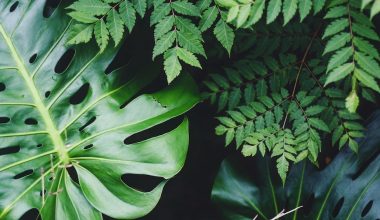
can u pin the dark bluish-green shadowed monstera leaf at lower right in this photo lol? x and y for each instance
(348, 188)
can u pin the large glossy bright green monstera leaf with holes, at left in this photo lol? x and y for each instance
(63, 122)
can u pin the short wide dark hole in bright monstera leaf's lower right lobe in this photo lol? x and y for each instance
(142, 183)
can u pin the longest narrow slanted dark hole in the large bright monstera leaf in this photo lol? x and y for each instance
(154, 131)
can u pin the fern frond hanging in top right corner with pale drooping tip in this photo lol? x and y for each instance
(354, 56)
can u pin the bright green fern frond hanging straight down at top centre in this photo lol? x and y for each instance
(176, 35)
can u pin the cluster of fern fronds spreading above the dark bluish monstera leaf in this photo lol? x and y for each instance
(281, 108)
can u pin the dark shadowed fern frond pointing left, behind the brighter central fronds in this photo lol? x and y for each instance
(246, 80)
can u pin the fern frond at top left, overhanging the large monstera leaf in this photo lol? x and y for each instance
(104, 18)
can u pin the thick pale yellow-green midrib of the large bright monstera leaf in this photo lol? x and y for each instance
(51, 129)
